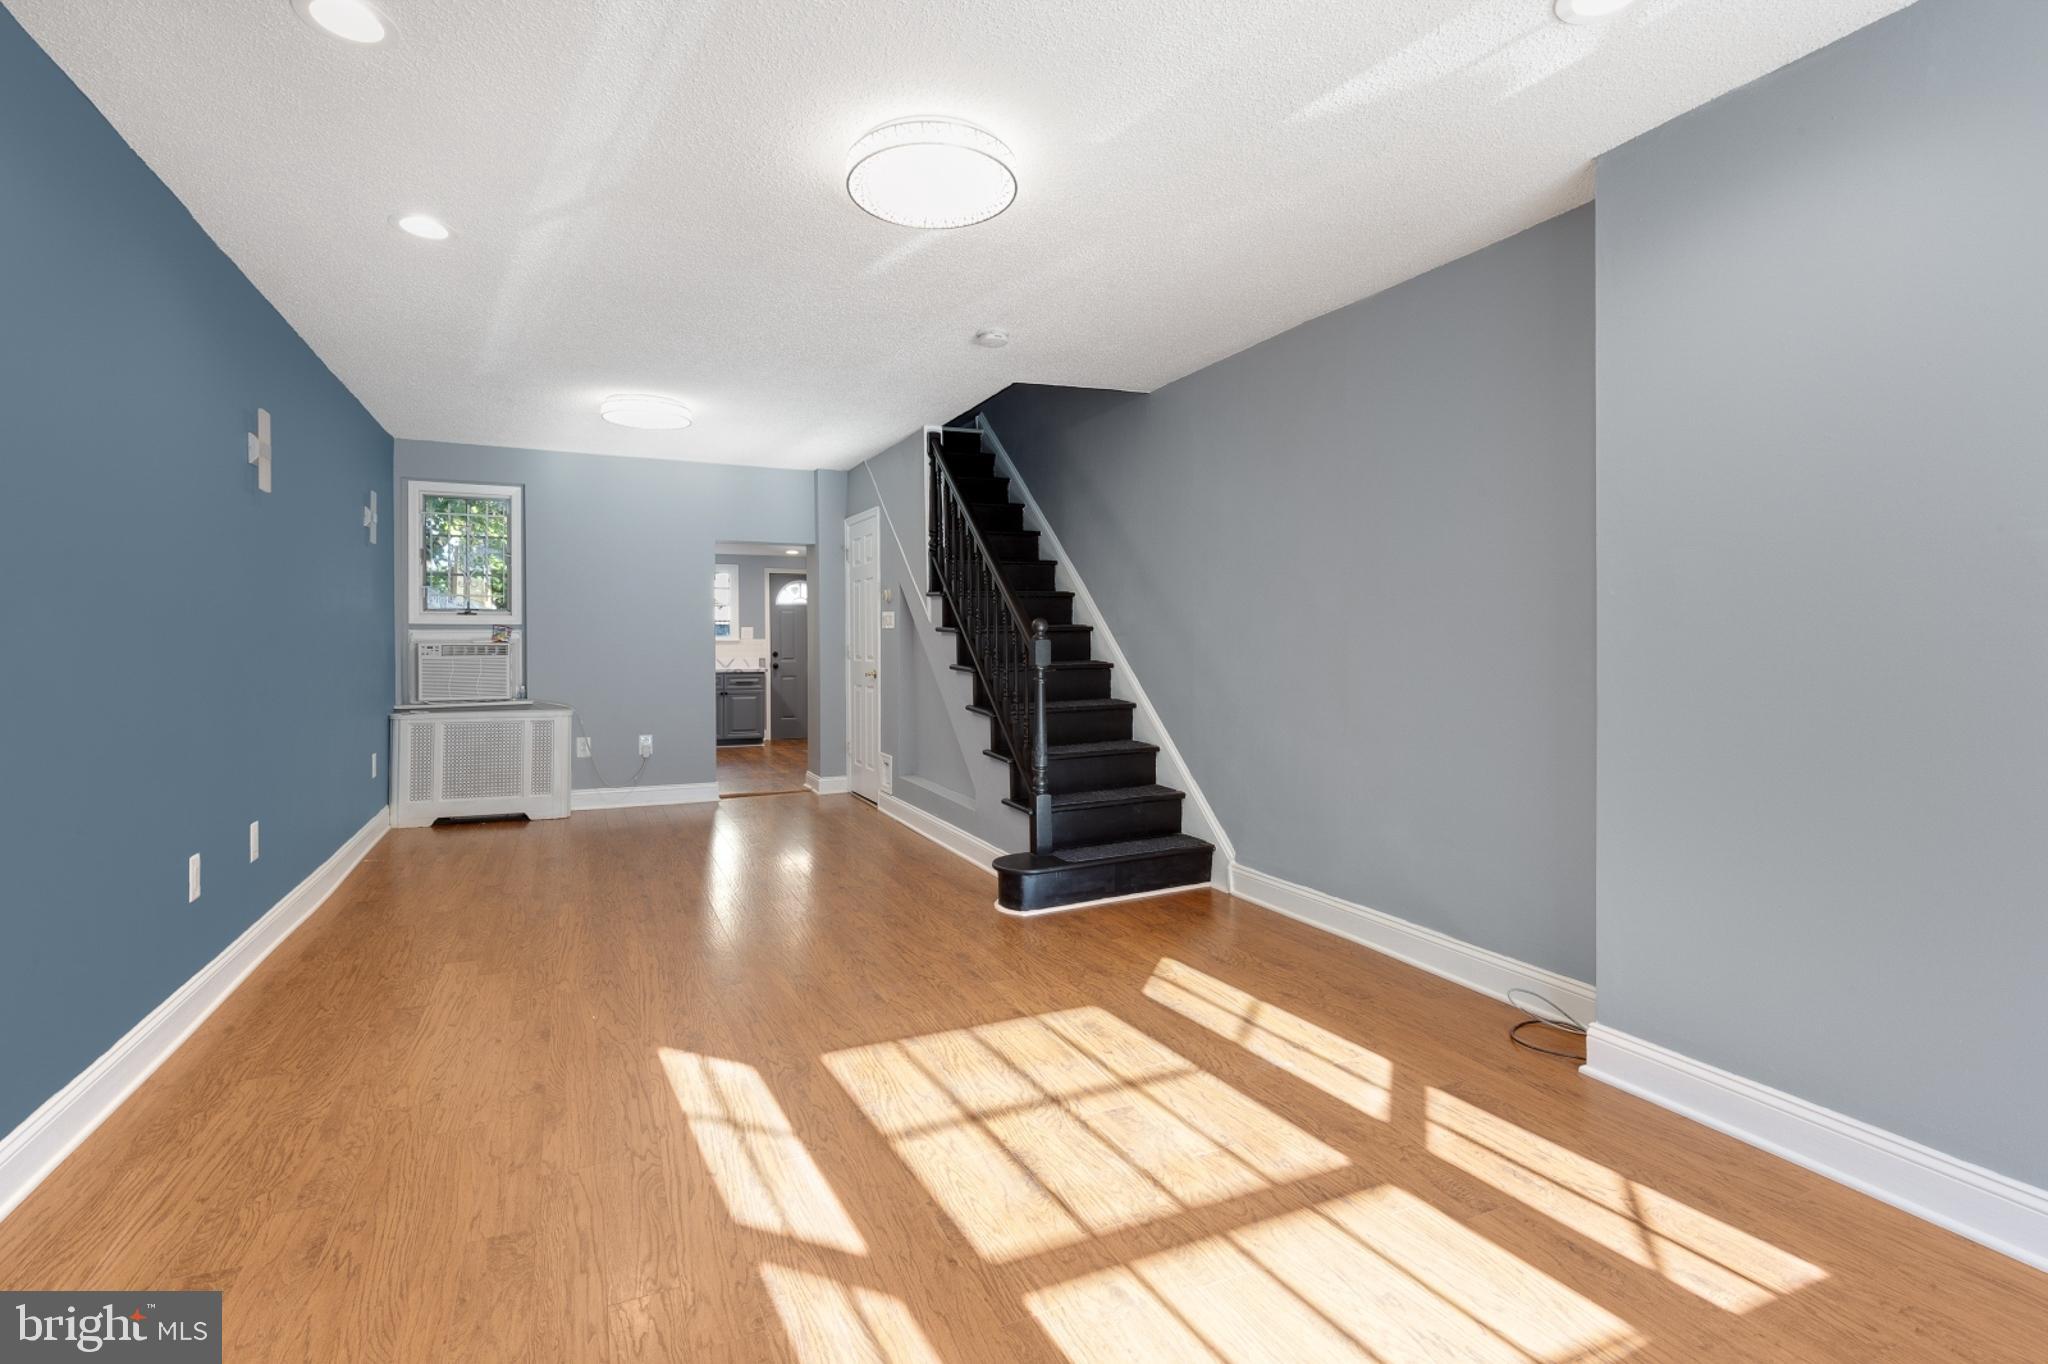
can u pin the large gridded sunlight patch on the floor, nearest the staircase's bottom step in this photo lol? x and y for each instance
(1046, 1132)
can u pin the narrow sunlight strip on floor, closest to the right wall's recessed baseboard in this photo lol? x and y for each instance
(1340, 1068)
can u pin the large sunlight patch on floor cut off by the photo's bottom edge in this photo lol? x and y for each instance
(1371, 1277)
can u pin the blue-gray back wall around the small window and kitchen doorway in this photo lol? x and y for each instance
(620, 558)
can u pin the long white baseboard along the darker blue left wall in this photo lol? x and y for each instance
(34, 1150)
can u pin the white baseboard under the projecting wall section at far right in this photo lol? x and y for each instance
(1967, 1199)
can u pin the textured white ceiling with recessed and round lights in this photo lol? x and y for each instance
(648, 194)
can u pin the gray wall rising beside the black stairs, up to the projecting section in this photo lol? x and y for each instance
(1355, 570)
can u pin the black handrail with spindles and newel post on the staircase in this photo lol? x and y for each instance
(1007, 648)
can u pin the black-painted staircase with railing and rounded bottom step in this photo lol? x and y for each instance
(1101, 822)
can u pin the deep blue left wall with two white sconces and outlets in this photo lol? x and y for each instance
(183, 654)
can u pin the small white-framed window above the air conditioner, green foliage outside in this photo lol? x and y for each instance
(466, 554)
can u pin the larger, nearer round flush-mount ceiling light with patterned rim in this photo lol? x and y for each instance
(931, 173)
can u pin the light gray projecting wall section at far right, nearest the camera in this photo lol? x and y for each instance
(1824, 581)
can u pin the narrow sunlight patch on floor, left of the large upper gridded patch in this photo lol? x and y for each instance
(763, 1173)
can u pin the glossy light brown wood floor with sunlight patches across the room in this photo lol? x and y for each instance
(771, 1080)
